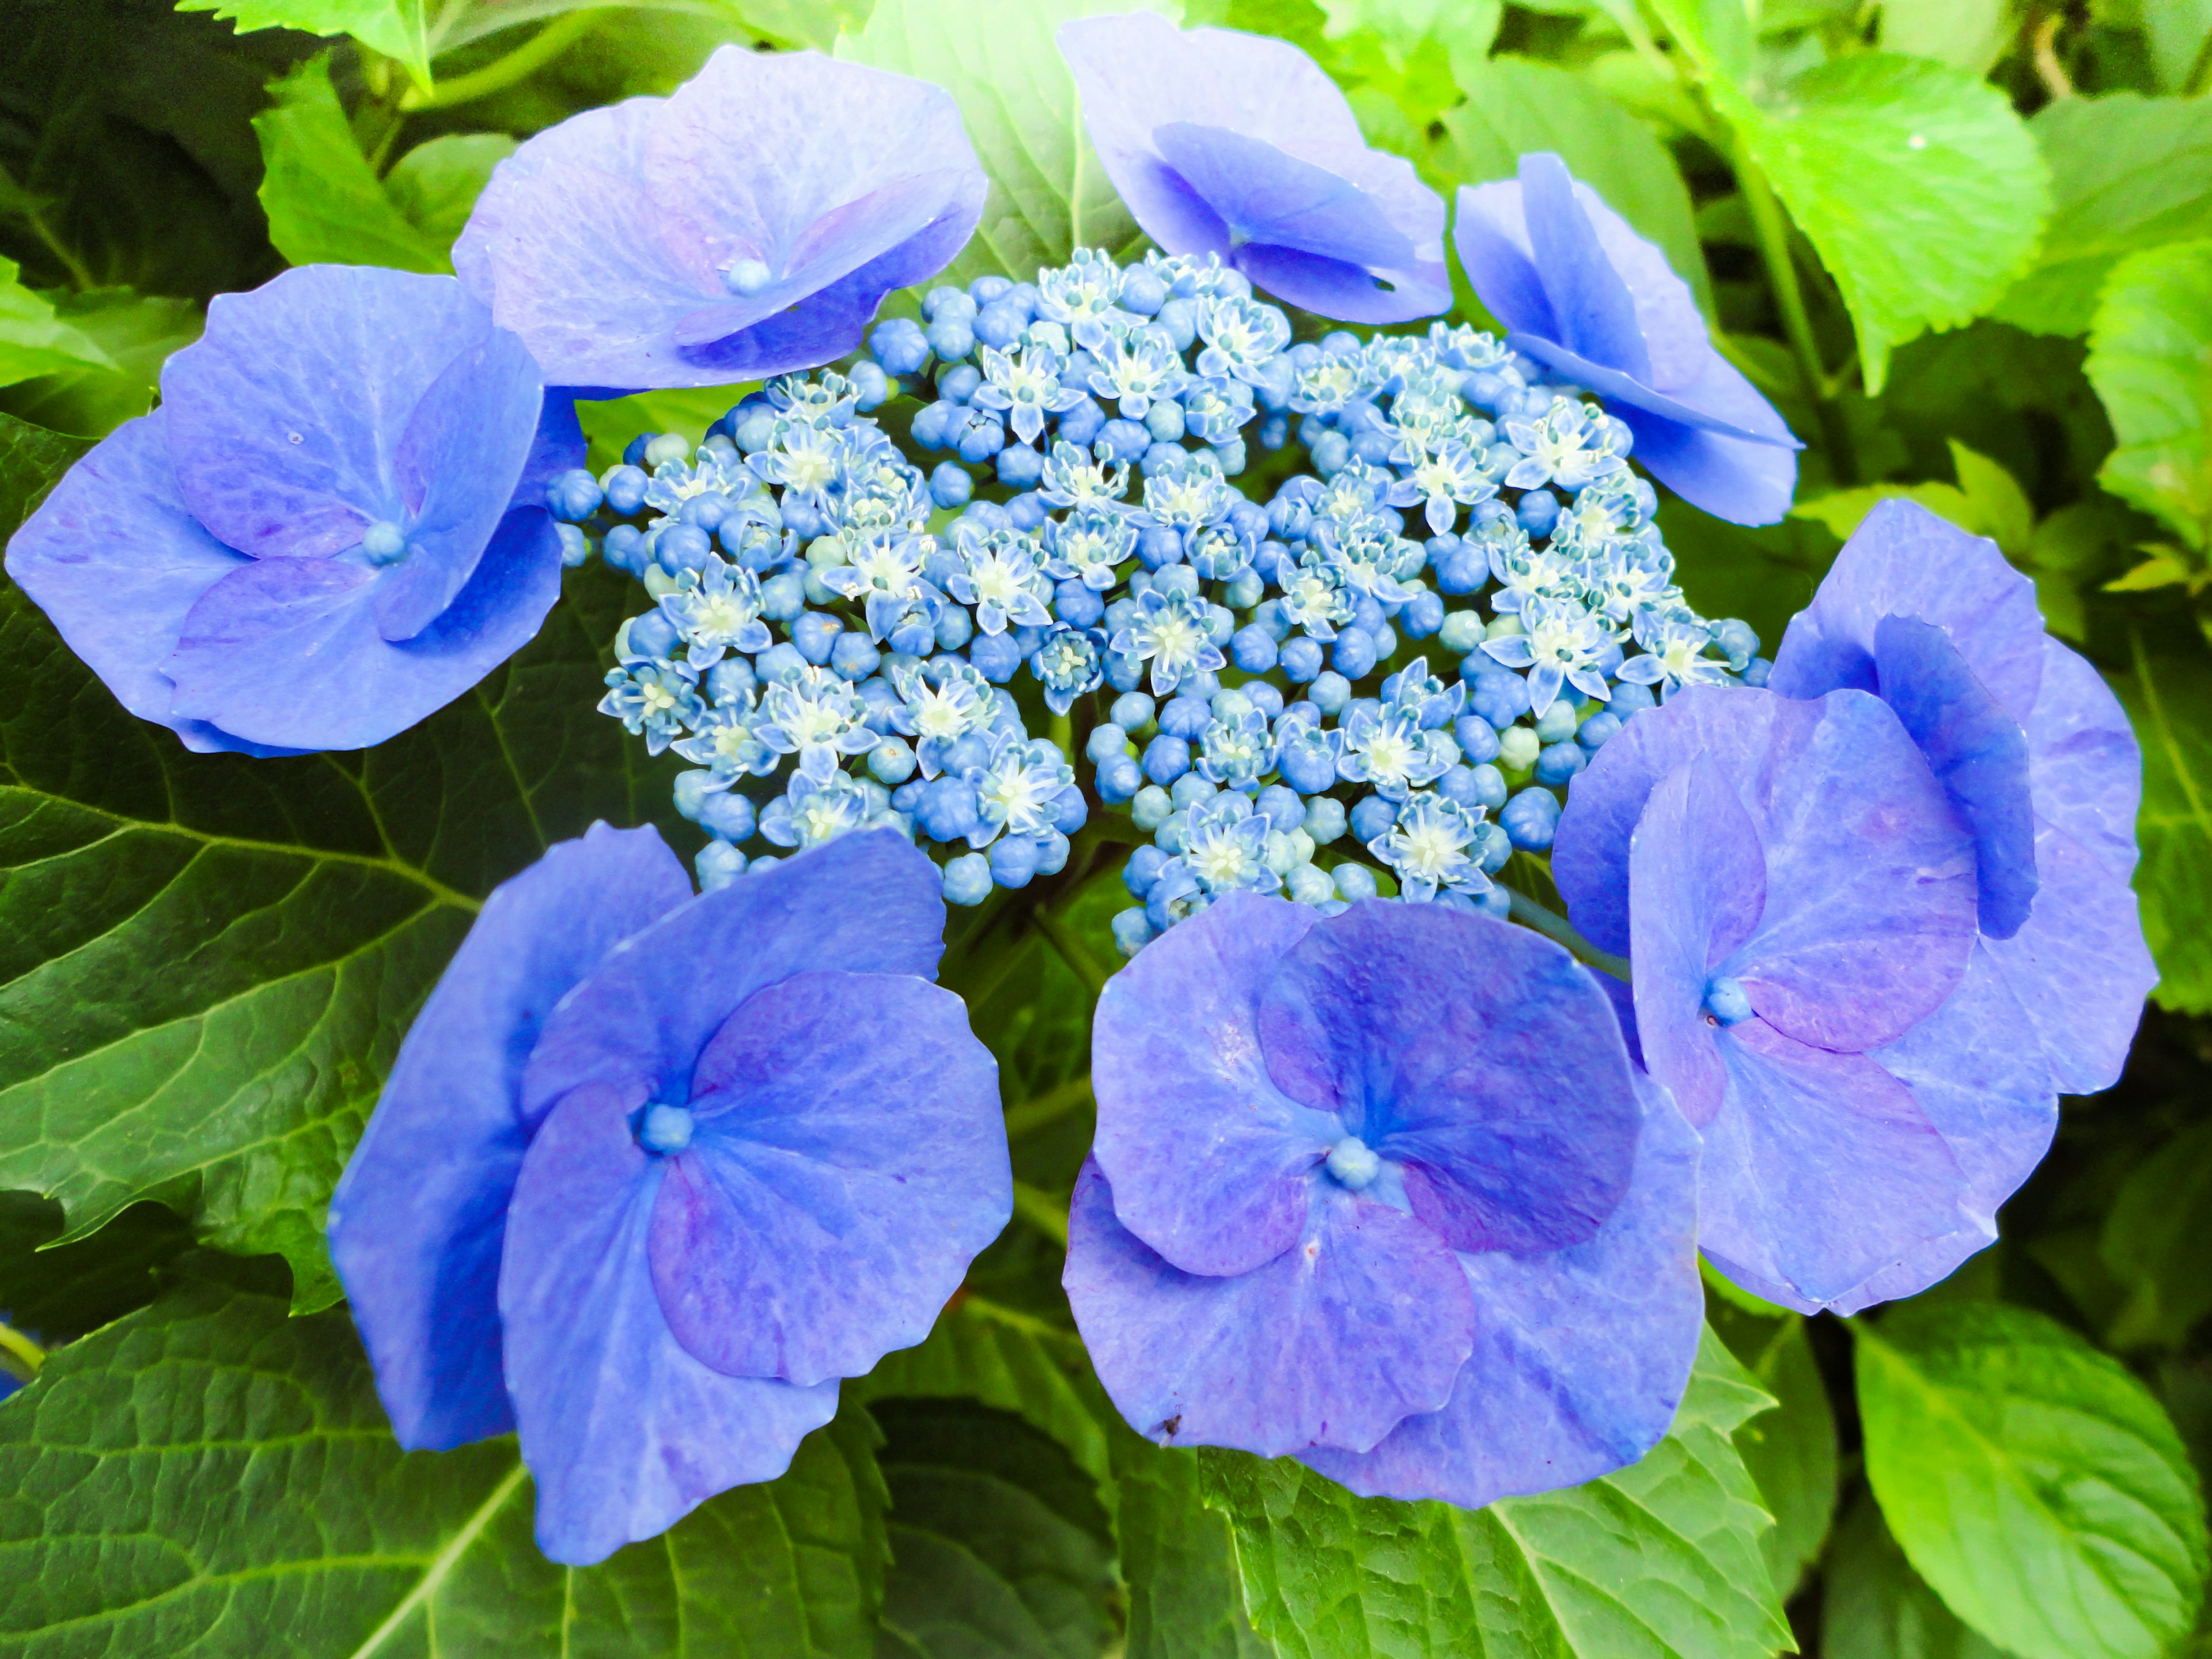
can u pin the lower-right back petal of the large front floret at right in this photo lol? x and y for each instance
(1979, 1074)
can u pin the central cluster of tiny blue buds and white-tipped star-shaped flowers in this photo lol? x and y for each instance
(1377, 682)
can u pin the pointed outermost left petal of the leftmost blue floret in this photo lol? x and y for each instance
(118, 563)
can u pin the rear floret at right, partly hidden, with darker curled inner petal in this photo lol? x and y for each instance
(2034, 751)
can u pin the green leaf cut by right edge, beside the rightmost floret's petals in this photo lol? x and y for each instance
(2171, 705)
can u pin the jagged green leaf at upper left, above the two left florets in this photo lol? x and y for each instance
(320, 191)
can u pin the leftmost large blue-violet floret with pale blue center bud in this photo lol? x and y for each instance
(333, 525)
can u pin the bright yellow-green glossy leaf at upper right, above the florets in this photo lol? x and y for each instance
(1919, 187)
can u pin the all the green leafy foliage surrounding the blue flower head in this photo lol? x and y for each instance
(1963, 244)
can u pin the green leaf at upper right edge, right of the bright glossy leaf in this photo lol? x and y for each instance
(2127, 174)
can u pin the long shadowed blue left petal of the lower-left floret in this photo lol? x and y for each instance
(421, 1211)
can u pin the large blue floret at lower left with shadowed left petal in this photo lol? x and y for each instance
(656, 1171)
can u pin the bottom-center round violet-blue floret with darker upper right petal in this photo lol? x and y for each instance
(1386, 1193)
